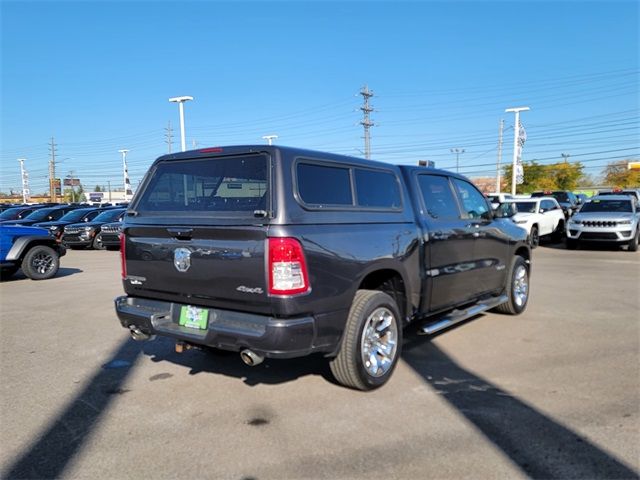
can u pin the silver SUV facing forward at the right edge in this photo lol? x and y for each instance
(610, 218)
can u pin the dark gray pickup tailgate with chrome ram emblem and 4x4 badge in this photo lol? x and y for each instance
(219, 266)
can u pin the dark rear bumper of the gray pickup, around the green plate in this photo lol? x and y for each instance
(226, 330)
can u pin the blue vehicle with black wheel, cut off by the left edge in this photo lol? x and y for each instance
(29, 248)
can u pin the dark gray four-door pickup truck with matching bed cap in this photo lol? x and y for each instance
(281, 252)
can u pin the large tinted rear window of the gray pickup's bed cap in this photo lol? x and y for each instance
(229, 184)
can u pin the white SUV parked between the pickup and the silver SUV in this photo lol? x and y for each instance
(540, 217)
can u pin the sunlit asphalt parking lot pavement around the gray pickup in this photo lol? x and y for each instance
(553, 393)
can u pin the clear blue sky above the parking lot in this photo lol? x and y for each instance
(97, 76)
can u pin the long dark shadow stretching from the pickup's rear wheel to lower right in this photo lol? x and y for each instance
(538, 445)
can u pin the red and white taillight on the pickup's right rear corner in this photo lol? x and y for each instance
(287, 267)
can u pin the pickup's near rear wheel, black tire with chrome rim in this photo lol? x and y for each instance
(349, 367)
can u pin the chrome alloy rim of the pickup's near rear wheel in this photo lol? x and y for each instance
(379, 342)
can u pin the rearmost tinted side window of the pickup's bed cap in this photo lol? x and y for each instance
(324, 185)
